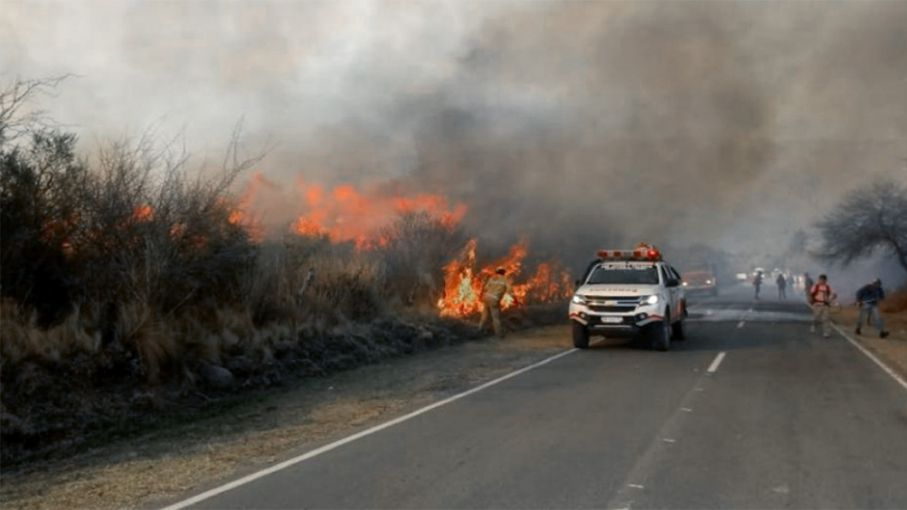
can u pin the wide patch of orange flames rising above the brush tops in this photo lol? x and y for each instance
(346, 214)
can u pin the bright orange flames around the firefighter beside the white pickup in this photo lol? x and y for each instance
(463, 282)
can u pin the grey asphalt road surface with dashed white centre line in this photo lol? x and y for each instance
(786, 419)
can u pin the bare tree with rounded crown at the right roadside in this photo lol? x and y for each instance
(868, 219)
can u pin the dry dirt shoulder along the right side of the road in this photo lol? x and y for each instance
(892, 350)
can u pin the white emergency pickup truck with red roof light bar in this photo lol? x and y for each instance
(629, 293)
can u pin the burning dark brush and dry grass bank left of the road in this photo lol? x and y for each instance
(130, 285)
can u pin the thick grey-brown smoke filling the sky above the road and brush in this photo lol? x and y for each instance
(573, 124)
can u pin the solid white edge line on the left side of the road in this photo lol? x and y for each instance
(359, 435)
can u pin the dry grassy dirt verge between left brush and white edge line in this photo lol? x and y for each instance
(160, 466)
